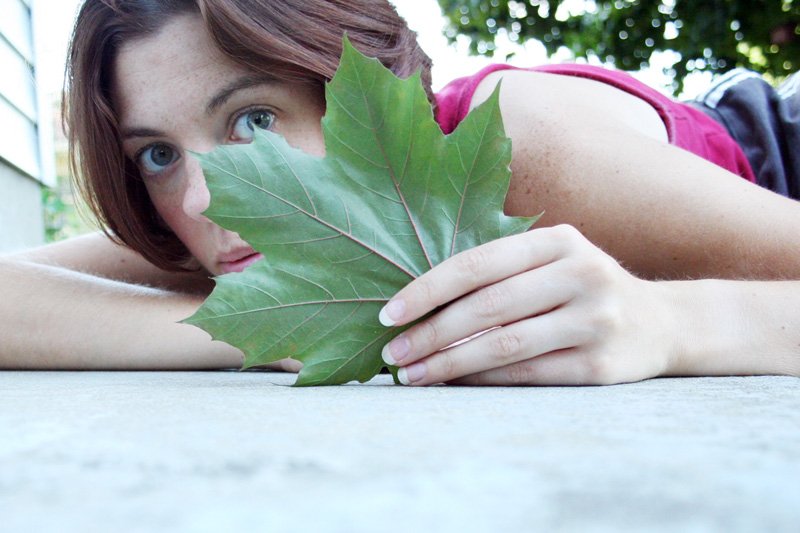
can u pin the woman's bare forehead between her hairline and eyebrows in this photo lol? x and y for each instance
(176, 69)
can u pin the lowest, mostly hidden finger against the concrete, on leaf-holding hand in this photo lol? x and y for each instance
(565, 367)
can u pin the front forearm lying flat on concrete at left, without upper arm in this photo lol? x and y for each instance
(54, 318)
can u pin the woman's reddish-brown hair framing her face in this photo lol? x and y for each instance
(294, 40)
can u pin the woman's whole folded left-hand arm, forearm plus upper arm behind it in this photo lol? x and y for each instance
(88, 303)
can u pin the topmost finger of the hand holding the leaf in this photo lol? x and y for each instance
(478, 267)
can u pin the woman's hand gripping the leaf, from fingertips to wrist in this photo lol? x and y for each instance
(546, 307)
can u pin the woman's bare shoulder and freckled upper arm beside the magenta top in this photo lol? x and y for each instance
(589, 155)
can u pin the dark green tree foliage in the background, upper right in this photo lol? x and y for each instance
(709, 35)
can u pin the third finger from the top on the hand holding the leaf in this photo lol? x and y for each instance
(499, 347)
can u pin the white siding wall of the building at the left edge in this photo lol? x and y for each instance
(21, 165)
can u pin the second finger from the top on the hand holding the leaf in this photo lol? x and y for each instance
(528, 294)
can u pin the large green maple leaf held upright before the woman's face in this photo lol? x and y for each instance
(392, 198)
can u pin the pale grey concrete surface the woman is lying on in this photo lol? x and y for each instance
(231, 451)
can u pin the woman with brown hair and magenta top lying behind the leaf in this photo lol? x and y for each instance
(624, 177)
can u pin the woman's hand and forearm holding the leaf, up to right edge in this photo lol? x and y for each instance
(570, 315)
